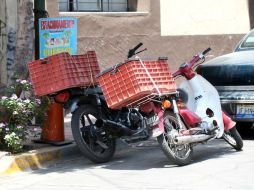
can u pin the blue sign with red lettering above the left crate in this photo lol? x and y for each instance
(57, 35)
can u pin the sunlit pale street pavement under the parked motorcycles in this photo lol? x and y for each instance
(143, 166)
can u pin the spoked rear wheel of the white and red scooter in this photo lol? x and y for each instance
(179, 154)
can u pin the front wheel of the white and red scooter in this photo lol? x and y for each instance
(233, 138)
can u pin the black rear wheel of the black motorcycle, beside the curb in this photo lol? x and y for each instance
(95, 143)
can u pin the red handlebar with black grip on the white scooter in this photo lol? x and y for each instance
(189, 65)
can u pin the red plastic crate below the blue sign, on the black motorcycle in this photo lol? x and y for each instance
(63, 71)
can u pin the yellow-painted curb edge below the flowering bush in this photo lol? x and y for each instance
(35, 159)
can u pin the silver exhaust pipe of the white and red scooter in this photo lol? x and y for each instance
(192, 138)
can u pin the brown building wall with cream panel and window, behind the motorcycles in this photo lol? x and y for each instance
(176, 29)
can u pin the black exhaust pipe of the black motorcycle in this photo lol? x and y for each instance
(114, 127)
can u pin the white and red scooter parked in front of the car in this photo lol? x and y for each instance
(197, 117)
